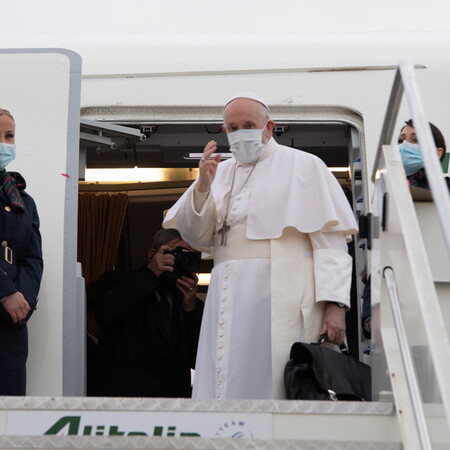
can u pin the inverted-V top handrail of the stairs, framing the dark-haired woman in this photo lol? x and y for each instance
(405, 80)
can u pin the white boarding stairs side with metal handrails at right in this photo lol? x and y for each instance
(410, 237)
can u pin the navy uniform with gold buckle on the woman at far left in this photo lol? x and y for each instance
(20, 229)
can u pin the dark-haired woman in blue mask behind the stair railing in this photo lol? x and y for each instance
(412, 155)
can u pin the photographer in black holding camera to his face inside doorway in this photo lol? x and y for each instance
(149, 323)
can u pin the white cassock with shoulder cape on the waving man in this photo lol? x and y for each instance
(285, 255)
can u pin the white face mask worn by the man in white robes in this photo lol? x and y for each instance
(246, 145)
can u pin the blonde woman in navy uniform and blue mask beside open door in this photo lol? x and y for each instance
(21, 264)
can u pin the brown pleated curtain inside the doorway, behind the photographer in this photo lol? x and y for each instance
(100, 220)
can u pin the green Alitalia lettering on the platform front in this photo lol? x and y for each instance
(71, 426)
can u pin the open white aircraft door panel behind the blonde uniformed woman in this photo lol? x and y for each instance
(41, 88)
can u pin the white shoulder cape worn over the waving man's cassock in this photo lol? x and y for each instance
(291, 188)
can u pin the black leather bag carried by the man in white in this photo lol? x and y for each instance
(318, 373)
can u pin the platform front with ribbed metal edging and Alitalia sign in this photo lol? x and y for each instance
(161, 423)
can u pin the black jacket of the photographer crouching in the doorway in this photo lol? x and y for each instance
(147, 346)
